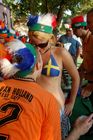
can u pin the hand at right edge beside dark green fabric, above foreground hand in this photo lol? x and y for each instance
(86, 91)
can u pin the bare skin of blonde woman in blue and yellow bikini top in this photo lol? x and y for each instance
(53, 84)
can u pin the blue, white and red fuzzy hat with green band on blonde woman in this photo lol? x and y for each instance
(42, 23)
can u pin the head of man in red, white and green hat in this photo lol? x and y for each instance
(78, 25)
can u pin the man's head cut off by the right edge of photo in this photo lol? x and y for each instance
(90, 20)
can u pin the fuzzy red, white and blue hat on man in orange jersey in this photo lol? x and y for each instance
(23, 59)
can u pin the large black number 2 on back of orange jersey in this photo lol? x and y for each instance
(14, 115)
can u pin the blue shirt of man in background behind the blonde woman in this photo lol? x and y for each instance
(74, 43)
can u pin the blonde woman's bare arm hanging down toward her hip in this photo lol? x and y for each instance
(72, 70)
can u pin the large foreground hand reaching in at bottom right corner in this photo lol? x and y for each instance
(83, 124)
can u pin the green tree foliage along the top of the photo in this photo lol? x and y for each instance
(25, 7)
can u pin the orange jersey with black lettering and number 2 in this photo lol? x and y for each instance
(28, 112)
